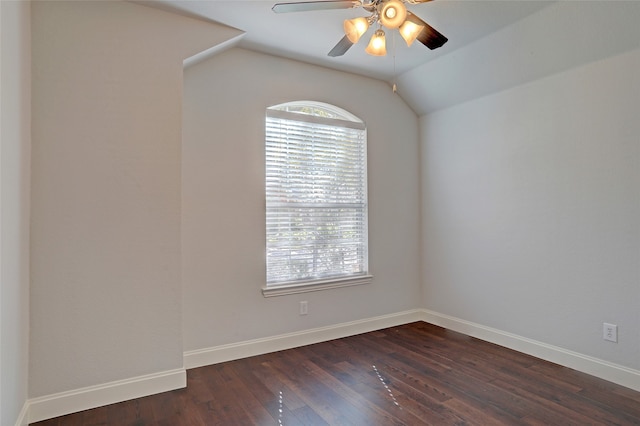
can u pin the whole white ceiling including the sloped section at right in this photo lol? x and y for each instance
(493, 45)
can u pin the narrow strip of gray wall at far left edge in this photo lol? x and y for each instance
(14, 207)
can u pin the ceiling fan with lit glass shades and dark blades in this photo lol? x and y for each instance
(390, 14)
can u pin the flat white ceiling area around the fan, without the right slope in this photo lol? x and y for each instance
(308, 36)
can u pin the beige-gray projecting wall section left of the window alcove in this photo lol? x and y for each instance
(105, 259)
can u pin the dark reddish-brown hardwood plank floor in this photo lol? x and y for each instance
(415, 374)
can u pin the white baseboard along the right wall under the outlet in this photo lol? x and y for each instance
(615, 373)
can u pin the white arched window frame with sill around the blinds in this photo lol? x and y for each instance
(335, 116)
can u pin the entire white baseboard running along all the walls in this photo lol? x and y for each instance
(59, 404)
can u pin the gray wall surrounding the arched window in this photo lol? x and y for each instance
(223, 222)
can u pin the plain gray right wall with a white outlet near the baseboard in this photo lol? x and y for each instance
(531, 209)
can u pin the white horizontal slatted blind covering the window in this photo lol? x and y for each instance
(316, 196)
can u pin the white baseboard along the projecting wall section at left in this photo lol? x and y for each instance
(60, 404)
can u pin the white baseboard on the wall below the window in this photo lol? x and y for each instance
(217, 354)
